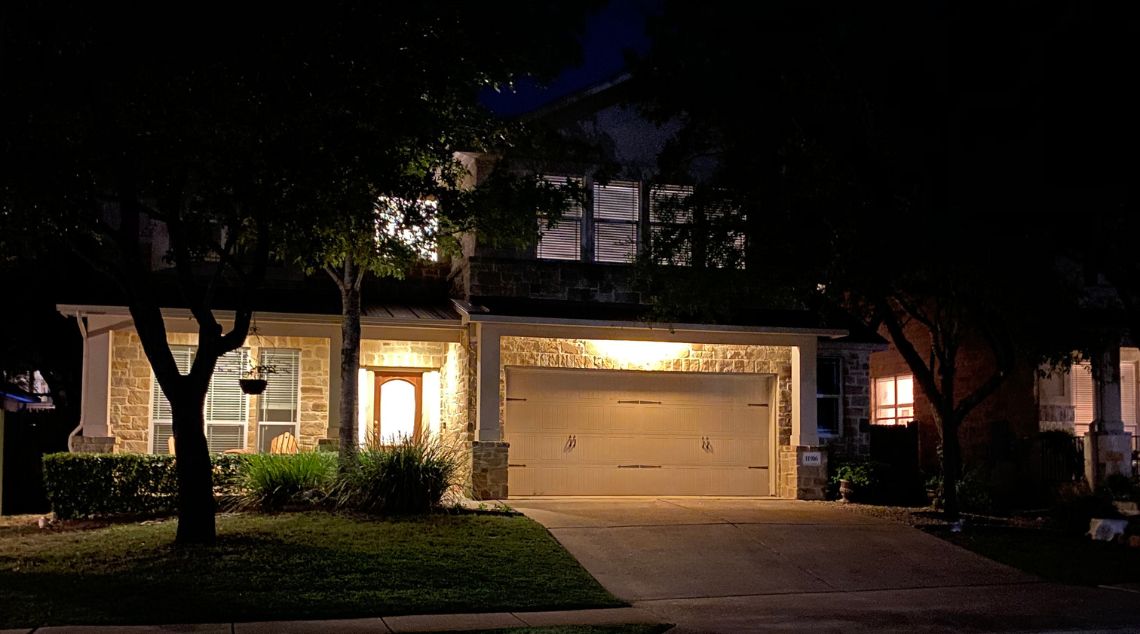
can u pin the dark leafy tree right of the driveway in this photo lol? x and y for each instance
(867, 162)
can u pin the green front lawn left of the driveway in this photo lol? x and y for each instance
(296, 566)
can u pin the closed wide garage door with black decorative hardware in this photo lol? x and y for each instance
(609, 433)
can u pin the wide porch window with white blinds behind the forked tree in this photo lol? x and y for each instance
(226, 408)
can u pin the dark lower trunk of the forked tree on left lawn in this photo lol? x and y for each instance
(196, 475)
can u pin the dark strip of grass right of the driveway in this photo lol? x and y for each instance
(1052, 556)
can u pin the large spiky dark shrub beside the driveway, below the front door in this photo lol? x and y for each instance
(408, 477)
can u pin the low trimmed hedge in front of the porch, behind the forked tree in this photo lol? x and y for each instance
(102, 485)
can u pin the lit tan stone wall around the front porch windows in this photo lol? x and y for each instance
(129, 401)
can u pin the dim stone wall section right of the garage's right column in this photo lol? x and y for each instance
(856, 441)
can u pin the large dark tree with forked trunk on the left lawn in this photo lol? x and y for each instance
(222, 128)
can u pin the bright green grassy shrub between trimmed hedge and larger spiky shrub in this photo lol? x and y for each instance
(271, 482)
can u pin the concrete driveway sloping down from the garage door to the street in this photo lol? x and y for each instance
(736, 565)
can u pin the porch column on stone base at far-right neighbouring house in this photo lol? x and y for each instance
(1108, 448)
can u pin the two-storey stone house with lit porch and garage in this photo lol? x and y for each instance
(541, 364)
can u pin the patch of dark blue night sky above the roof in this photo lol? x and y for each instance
(617, 27)
